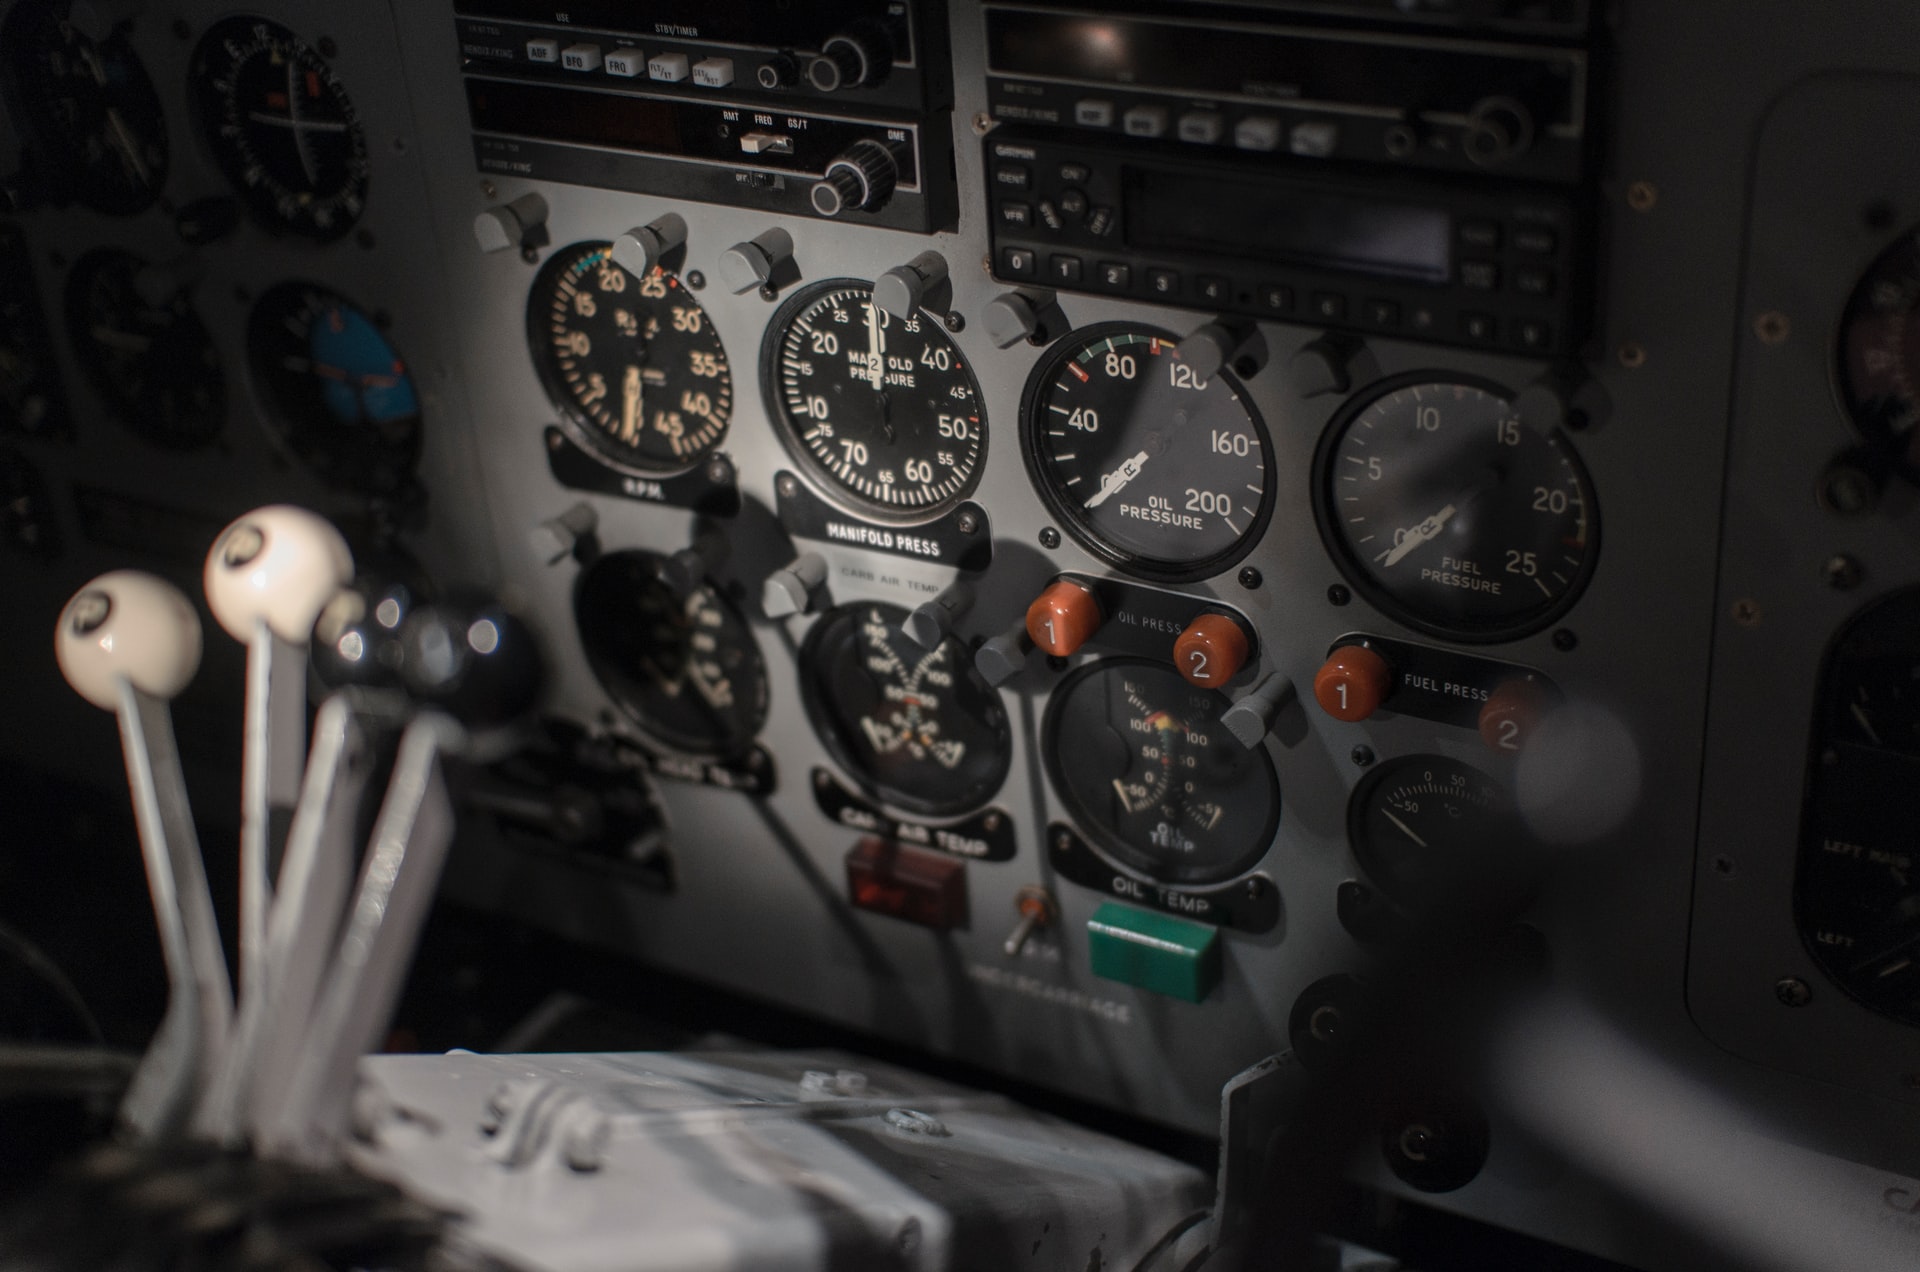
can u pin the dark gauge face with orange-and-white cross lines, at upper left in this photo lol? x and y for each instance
(281, 126)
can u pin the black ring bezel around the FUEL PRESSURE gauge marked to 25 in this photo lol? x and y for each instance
(1362, 579)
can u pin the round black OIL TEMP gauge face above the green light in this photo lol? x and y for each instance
(1143, 766)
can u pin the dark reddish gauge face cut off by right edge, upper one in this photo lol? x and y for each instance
(1881, 356)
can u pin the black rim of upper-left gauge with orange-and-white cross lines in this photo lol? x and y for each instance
(203, 68)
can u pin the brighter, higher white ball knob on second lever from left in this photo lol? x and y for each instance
(277, 566)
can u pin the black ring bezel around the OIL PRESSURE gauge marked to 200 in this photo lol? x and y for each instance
(1155, 570)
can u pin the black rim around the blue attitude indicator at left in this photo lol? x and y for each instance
(285, 428)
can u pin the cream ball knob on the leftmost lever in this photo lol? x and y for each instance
(128, 625)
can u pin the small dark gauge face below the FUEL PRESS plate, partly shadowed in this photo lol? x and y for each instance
(1439, 837)
